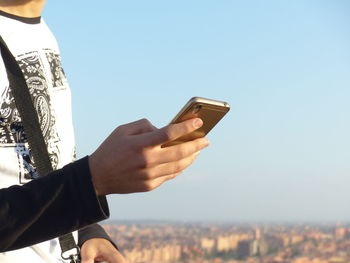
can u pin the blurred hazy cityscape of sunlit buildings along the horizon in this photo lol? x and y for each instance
(156, 242)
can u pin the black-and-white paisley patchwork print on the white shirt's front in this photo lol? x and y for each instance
(11, 128)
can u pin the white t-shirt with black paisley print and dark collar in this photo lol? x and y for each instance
(37, 53)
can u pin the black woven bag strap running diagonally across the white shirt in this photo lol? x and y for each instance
(33, 133)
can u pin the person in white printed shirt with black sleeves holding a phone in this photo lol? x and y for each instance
(130, 160)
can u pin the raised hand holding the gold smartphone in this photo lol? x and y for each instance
(132, 159)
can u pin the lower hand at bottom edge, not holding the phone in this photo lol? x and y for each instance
(99, 249)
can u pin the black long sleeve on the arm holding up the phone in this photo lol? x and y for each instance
(50, 206)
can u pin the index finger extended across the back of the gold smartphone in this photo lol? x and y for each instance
(170, 132)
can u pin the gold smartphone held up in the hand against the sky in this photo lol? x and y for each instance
(210, 111)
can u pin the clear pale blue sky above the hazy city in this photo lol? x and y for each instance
(283, 151)
